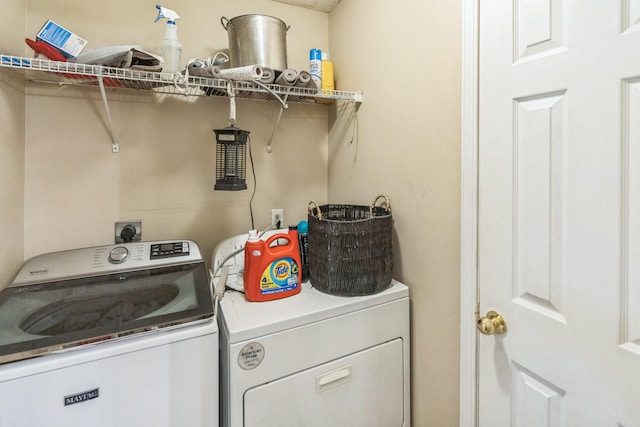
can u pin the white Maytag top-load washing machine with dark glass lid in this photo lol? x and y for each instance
(110, 336)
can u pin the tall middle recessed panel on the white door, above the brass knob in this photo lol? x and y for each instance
(540, 139)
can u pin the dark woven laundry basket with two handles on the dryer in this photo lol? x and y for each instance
(350, 248)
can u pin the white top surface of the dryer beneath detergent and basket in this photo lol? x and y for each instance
(244, 320)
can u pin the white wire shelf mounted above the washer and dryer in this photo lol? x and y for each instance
(69, 73)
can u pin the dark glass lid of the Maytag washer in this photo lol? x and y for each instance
(46, 317)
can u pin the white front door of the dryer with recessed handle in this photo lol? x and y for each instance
(363, 389)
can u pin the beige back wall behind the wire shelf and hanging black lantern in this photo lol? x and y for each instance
(76, 188)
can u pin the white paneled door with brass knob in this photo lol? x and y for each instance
(559, 212)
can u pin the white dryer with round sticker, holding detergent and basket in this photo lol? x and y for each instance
(312, 359)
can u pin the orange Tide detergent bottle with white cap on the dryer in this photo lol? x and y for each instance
(271, 267)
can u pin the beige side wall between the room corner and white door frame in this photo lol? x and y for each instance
(405, 56)
